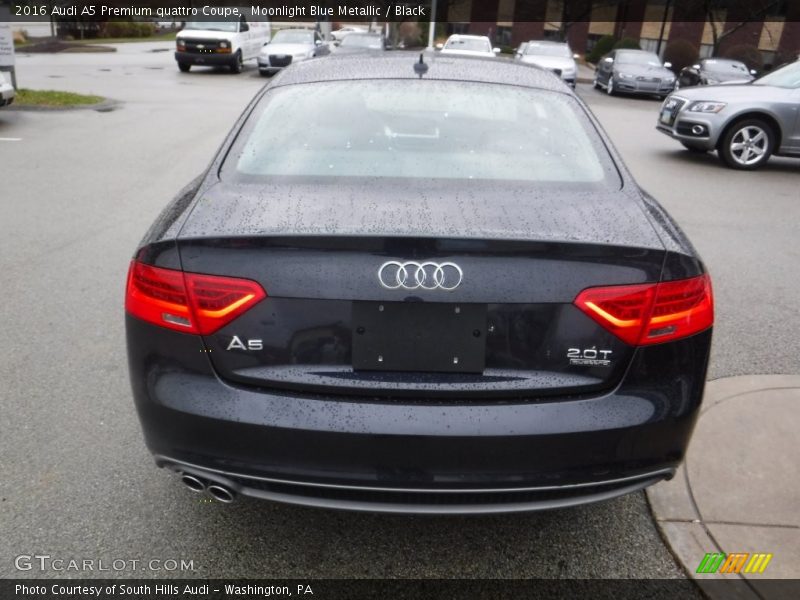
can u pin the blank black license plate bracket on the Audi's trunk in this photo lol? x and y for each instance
(419, 337)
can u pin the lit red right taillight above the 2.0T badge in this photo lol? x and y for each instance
(651, 313)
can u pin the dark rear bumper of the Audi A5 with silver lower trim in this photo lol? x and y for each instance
(386, 455)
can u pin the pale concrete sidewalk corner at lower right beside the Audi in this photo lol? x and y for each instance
(739, 489)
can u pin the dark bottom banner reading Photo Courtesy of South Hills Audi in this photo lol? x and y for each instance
(357, 589)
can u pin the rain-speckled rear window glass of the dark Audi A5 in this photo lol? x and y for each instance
(419, 129)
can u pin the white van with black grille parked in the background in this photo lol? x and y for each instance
(223, 43)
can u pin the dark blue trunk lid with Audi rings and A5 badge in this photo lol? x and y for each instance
(348, 310)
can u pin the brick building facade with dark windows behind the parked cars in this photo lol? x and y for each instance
(772, 26)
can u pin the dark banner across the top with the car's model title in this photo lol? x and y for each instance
(498, 11)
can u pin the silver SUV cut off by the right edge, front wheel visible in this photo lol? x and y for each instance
(744, 123)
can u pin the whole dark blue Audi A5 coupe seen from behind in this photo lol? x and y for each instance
(417, 284)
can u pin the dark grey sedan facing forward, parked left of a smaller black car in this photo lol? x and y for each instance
(634, 72)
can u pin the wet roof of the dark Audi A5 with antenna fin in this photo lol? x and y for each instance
(400, 65)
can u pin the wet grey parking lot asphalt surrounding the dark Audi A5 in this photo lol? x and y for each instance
(80, 189)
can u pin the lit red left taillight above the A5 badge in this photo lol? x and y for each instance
(188, 302)
